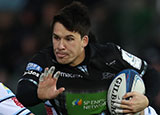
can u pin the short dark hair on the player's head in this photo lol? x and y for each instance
(75, 18)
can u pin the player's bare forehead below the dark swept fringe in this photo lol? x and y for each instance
(61, 31)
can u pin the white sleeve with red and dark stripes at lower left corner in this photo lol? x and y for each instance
(9, 105)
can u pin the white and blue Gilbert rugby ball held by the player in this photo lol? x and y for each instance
(127, 80)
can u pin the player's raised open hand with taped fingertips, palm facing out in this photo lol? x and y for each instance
(47, 84)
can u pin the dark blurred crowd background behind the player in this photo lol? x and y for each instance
(25, 29)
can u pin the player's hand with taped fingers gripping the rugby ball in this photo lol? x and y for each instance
(137, 102)
